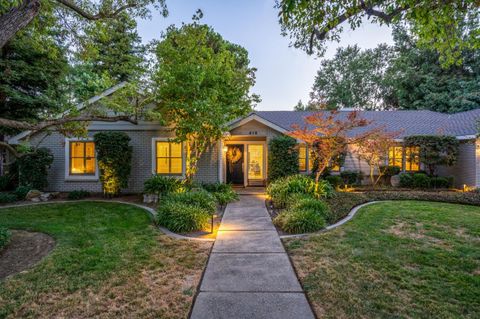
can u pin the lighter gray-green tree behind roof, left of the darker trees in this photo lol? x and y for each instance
(353, 78)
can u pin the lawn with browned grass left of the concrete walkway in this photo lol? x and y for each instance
(109, 262)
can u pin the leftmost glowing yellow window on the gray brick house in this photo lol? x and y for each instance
(82, 158)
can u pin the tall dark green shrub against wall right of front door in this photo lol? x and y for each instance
(282, 157)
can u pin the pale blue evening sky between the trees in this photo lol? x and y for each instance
(284, 74)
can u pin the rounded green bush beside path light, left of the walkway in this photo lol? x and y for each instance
(181, 217)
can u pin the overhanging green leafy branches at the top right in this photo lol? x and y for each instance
(438, 25)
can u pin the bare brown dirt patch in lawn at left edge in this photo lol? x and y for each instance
(24, 250)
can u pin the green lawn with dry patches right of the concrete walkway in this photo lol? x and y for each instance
(402, 259)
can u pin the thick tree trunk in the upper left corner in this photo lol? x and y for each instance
(16, 19)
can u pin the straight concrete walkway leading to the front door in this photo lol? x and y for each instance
(249, 274)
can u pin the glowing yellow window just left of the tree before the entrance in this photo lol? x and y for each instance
(169, 159)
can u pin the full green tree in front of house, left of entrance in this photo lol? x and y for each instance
(202, 82)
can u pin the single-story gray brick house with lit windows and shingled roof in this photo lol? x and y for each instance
(75, 166)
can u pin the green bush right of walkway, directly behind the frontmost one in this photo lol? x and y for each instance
(280, 190)
